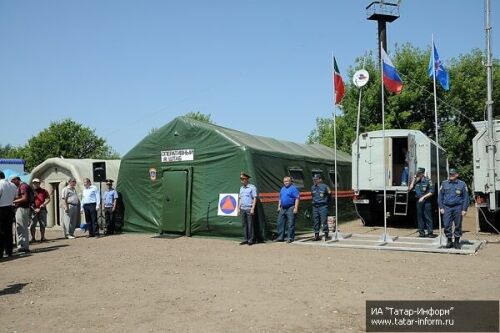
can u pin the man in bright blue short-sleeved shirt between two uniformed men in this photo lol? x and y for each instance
(288, 206)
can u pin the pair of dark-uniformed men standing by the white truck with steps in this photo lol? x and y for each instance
(453, 201)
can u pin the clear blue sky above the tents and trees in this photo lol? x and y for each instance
(123, 67)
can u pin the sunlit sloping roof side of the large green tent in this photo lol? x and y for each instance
(266, 144)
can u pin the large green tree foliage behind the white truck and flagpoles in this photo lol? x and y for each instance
(414, 107)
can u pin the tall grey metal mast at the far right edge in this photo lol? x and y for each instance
(489, 103)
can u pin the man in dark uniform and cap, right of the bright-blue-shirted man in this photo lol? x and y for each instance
(320, 199)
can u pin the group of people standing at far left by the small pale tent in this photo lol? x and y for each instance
(28, 207)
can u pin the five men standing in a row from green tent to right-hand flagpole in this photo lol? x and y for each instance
(453, 201)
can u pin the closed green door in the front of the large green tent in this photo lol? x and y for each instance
(175, 203)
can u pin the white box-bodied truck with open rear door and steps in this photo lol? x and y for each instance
(404, 148)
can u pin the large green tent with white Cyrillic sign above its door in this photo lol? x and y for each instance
(172, 180)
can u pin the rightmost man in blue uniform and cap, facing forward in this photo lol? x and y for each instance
(453, 203)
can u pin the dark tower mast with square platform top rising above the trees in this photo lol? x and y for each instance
(382, 12)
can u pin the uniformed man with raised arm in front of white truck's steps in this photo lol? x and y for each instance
(423, 192)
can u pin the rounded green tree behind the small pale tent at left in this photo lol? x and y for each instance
(67, 139)
